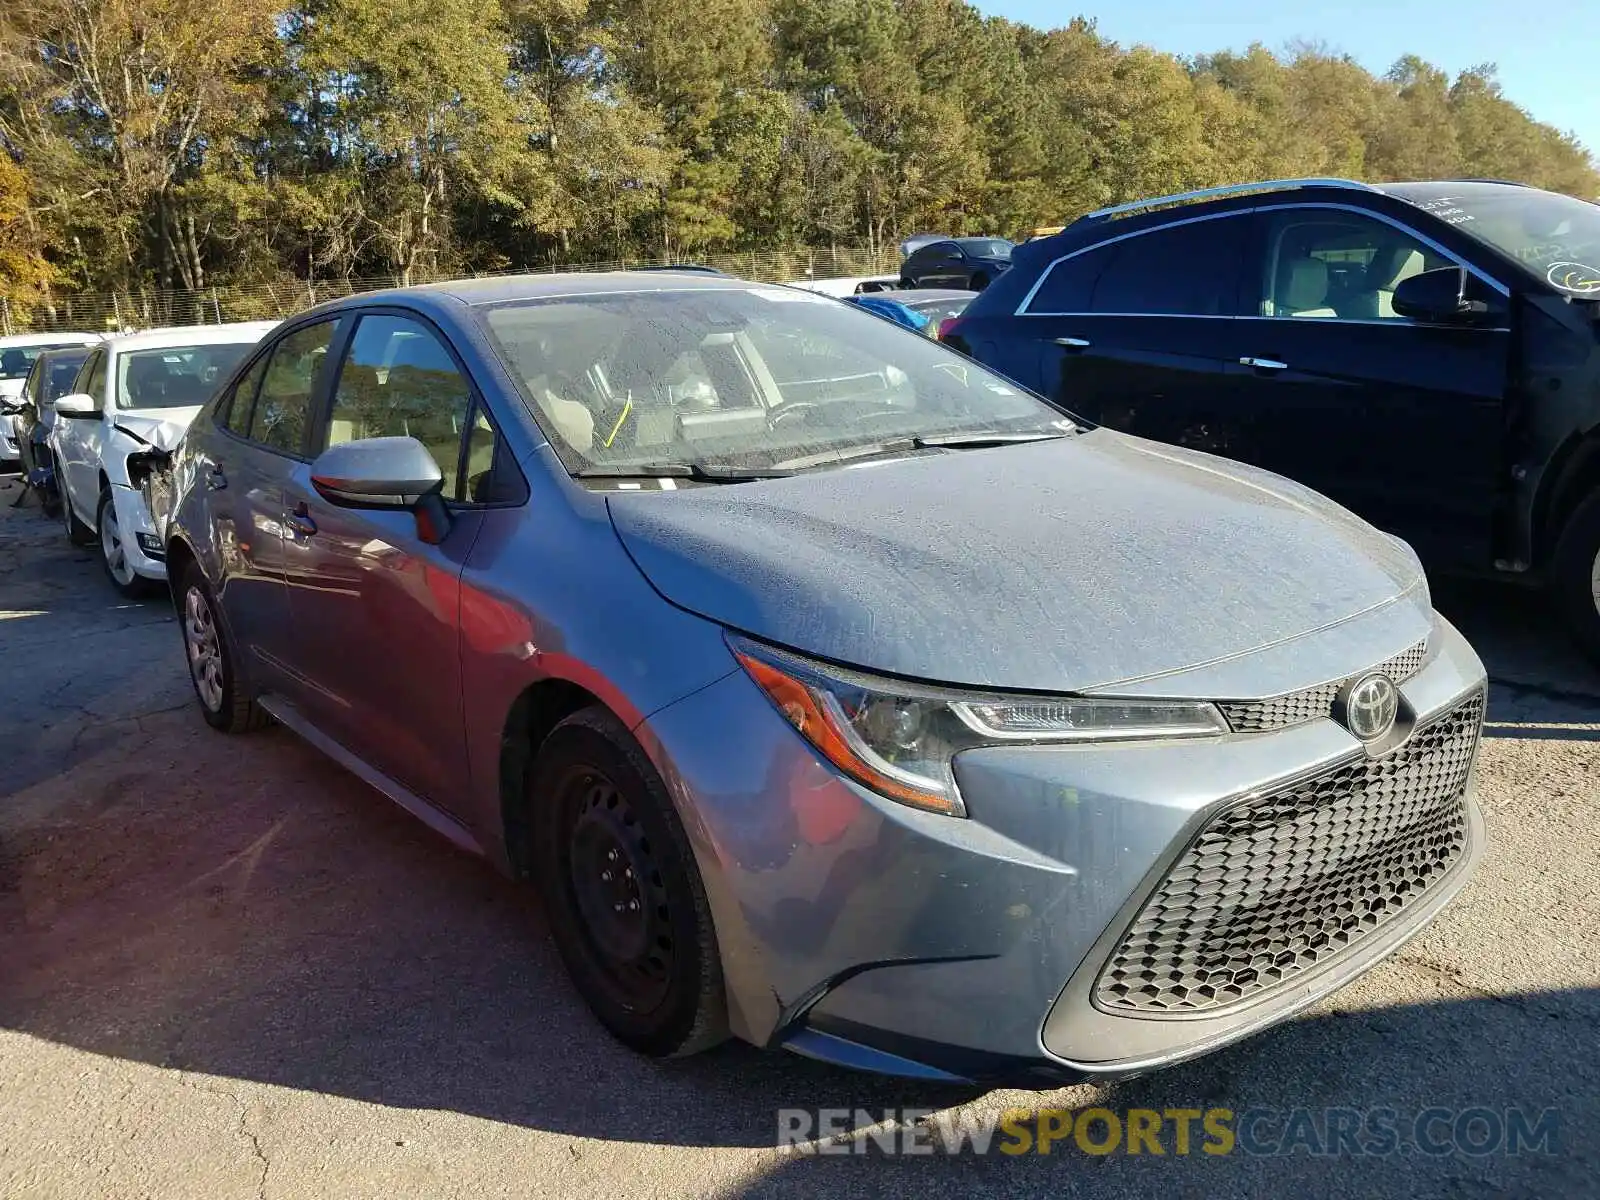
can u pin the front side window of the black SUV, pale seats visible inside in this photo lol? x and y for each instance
(1337, 266)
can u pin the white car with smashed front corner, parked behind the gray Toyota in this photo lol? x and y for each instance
(130, 404)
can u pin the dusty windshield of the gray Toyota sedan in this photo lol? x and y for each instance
(751, 378)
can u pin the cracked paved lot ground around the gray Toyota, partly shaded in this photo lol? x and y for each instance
(231, 970)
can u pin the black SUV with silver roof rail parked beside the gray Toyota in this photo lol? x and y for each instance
(1426, 354)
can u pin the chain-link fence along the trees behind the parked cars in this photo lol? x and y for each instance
(151, 308)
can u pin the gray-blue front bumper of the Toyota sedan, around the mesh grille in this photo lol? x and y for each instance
(863, 932)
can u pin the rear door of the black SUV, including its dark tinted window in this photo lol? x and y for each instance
(1140, 332)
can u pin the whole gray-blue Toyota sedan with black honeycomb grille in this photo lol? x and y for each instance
(834, 694)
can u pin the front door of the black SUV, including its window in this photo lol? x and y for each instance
(1398, 420)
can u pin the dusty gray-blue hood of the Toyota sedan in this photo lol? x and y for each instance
(1060, 566)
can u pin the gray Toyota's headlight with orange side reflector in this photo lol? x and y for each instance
(900, 738)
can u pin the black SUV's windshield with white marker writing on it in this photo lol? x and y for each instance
(1554, 236)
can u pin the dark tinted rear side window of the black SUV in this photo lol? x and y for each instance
(1180, 271)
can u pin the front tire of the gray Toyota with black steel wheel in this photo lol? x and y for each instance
(607, 839)
